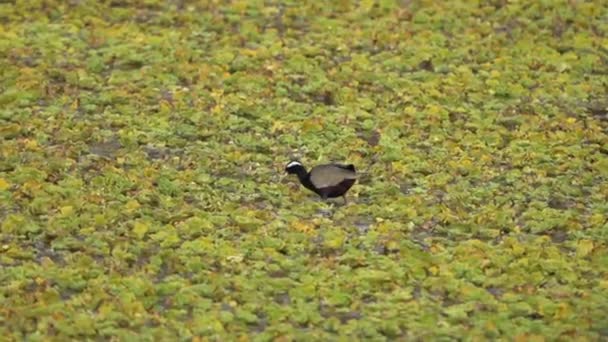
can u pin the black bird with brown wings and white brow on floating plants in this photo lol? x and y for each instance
(328, 180)
